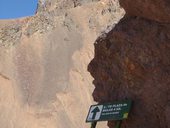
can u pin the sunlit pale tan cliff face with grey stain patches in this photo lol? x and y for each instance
(44, 81)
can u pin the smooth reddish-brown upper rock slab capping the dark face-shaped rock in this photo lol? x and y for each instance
(158, 10)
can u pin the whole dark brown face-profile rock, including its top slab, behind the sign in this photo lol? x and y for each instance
(133, 62)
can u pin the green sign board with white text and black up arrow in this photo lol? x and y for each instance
(112, 111)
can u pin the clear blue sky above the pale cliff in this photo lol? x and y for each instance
(11, 9)
